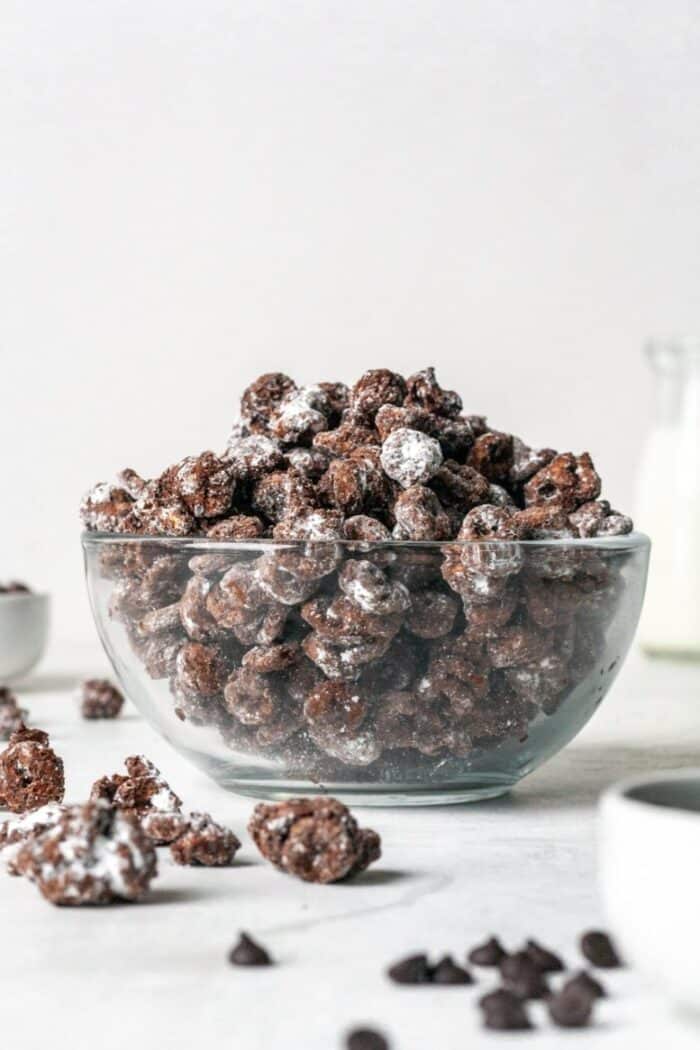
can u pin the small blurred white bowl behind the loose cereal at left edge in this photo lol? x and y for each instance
(24, 634)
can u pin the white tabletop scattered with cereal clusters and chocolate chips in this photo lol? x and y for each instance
(156, 975)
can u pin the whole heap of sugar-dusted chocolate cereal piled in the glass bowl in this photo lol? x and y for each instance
(330, 640)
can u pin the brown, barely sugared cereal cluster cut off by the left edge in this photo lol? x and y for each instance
(31, 772)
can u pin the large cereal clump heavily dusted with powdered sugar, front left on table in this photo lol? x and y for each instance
(93, 854)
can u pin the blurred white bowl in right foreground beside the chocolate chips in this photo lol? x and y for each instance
(650, 871)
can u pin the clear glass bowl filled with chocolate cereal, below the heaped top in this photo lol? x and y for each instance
(384, 674)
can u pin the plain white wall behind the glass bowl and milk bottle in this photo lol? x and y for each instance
(195, 193)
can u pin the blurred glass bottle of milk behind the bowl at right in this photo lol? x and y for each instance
(669, 502)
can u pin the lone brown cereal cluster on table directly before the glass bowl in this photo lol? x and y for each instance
(315, 839)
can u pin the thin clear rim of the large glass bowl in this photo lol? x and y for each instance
(632, 541)
